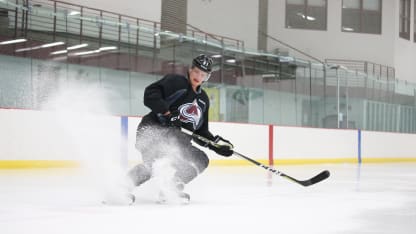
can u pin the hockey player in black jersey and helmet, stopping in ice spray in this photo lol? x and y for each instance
(177, 102)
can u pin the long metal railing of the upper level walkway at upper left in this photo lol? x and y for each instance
(58, 16)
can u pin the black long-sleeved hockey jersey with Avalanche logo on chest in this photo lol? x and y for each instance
(174, 93)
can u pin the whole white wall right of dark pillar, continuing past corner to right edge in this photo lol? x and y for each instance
(385, 49)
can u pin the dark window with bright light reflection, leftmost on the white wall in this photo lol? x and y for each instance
(306, 14)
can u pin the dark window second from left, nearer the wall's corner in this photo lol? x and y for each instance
(362, 16)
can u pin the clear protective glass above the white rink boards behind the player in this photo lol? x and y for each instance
(311, 101)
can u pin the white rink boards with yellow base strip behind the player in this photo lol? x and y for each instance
(43, 139)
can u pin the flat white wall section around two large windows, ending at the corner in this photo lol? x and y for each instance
(334, 43)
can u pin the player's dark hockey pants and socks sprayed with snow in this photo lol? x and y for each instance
(155, 142)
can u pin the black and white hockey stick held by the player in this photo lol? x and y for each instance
(318, 178)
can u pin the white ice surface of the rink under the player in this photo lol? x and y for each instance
(372, 198)
